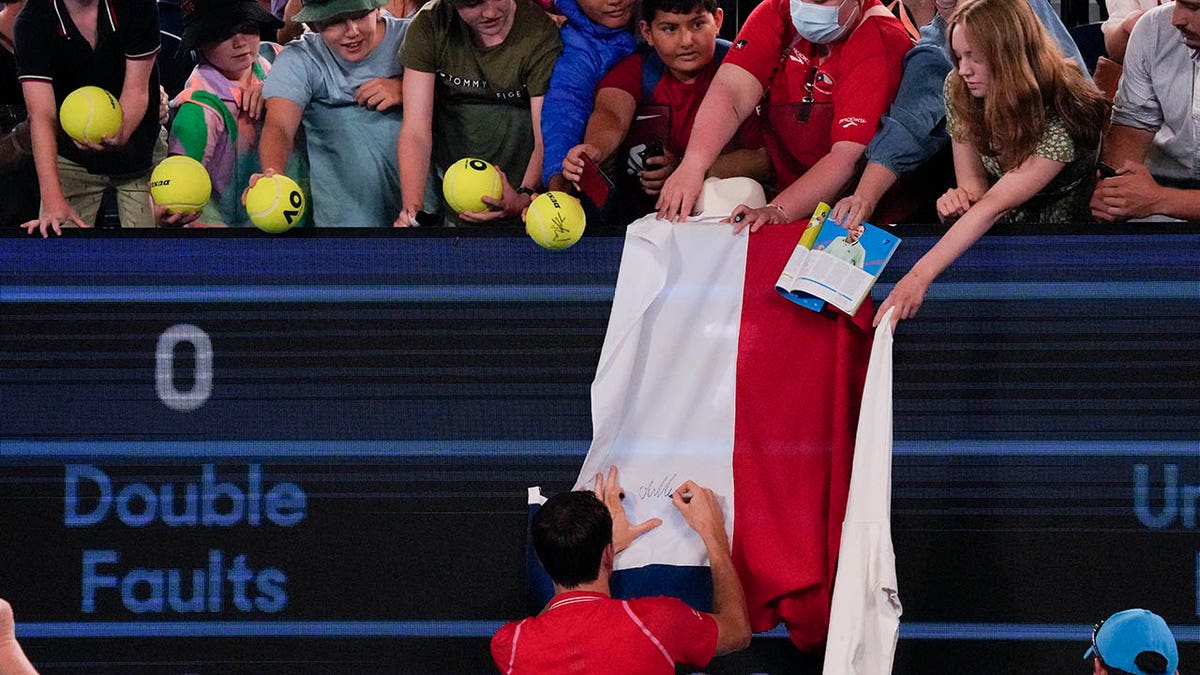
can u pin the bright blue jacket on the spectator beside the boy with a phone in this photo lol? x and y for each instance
(590, 52)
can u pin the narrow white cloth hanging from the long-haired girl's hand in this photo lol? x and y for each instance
(866, 619)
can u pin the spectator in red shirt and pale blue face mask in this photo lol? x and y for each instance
(825, 73)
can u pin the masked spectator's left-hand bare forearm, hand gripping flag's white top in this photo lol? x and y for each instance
(730, 100)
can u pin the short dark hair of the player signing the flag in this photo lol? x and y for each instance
(571, 533)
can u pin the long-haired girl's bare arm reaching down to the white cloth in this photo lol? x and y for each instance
(1013, 189)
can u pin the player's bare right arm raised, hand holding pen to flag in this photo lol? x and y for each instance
(704, 515)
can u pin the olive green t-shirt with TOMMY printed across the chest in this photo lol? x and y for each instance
(482, 97)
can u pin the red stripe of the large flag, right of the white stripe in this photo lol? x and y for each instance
(800, 386)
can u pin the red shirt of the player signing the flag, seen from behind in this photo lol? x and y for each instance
(586, 632)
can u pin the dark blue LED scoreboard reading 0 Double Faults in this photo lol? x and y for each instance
(315, 449)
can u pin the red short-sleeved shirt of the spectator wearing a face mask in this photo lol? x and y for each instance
(848, 92)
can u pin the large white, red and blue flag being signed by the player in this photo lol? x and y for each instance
(709, 374)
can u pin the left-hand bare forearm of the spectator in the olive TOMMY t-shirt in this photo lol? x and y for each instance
(416, 145)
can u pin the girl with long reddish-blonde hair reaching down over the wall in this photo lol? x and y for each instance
(1025, 126)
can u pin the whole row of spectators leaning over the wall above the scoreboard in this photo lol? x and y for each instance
(820, 100)
